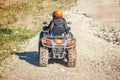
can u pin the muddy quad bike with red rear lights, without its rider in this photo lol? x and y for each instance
(57, 47)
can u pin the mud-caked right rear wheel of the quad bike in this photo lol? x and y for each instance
(72, 57)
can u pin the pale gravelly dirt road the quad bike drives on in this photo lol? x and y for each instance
(96, 58)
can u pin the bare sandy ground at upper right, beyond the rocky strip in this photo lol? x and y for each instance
(106, 12)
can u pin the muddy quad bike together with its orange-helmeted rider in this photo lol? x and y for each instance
(57, 42)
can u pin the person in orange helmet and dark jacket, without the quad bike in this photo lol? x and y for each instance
(58, 24)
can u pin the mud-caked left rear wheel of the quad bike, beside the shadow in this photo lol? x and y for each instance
(43, 57)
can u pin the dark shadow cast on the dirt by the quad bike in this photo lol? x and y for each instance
(33, 58)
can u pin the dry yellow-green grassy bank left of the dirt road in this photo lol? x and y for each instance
(23, 20)
